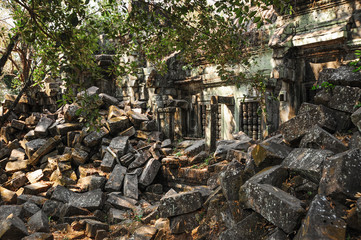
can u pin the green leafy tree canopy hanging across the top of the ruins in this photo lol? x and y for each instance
(64, 36)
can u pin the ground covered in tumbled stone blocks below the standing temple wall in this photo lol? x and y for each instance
(124, 181)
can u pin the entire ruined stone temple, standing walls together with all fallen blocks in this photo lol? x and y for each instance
(171, 162)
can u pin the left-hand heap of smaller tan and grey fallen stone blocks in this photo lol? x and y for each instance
(57, 178)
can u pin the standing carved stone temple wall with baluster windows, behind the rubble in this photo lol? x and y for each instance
(292, 52)
